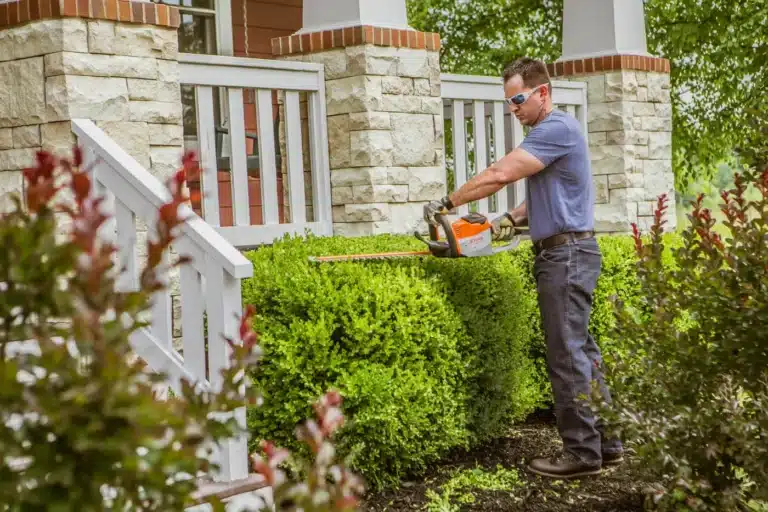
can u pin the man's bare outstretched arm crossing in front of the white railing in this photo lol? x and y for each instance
(516, 165)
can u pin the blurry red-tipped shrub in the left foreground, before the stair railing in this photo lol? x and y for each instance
(80, 427)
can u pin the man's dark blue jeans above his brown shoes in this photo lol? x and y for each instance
(566, 277)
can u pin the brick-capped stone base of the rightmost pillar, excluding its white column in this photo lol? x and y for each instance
(630, 135)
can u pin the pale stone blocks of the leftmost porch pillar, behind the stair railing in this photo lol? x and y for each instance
(123, 76)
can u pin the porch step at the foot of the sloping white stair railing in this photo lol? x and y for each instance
(245, 494)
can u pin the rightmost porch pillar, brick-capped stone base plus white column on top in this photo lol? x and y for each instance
(629, 110)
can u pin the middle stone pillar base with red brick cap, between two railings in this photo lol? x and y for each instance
(385, 124)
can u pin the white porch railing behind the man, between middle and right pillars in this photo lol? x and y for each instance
(489, 131)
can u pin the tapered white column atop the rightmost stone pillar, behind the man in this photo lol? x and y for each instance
(594, 28)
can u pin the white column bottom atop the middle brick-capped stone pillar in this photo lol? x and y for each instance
(334, 14)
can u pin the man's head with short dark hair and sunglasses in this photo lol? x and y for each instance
(527, 81)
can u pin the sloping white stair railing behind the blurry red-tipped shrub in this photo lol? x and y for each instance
(209, 287)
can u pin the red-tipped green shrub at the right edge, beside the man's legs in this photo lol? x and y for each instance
(691, 387)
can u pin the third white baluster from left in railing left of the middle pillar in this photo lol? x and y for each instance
(267, 156)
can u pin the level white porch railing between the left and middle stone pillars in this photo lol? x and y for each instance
(233, 77)
